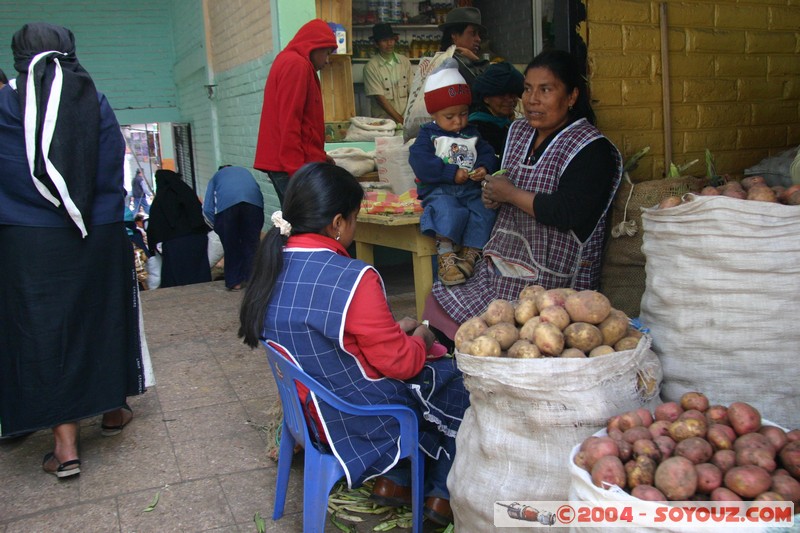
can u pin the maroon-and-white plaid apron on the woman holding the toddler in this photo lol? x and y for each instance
(538, 253)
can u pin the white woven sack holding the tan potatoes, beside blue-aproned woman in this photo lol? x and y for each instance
(525, 415)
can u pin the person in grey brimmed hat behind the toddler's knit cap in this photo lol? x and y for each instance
(463, 28)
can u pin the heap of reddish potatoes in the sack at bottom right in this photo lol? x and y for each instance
(688, 450)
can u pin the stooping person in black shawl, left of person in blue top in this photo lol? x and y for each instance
(177, 225)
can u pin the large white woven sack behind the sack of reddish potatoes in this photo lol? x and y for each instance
(721, 301)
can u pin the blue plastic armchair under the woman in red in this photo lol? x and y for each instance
(322, 470)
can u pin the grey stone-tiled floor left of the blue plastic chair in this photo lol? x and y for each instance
(197, 438)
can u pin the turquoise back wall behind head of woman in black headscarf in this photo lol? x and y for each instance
(126, 47)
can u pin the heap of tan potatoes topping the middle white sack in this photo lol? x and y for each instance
(548, 323)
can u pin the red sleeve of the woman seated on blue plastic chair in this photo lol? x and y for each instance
(373, 336)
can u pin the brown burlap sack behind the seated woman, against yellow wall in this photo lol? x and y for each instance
(622, 278)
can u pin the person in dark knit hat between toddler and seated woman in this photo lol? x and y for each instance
(495, 95)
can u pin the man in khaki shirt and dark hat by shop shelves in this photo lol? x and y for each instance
(387, 76)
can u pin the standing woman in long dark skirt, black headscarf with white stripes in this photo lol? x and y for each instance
(69, 330)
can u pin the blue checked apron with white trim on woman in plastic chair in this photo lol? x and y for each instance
(306, 315)
